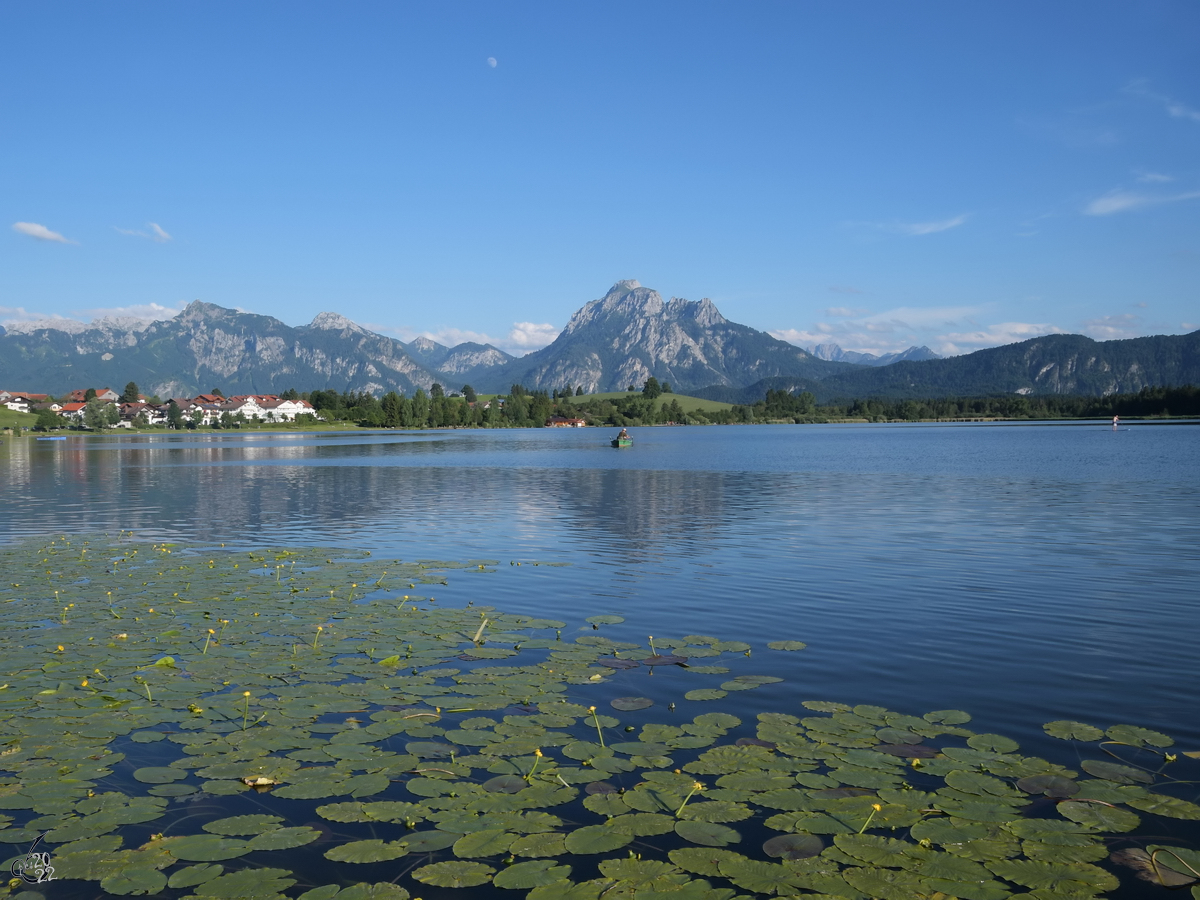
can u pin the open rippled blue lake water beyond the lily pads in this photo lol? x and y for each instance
(1022, 573)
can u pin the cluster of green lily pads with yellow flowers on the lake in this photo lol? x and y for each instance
(165, 711)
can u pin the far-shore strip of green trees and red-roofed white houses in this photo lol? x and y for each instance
(655, 404)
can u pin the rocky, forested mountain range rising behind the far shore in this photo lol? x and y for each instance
(620, 340)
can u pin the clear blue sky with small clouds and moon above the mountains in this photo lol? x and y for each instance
(874, 175)
